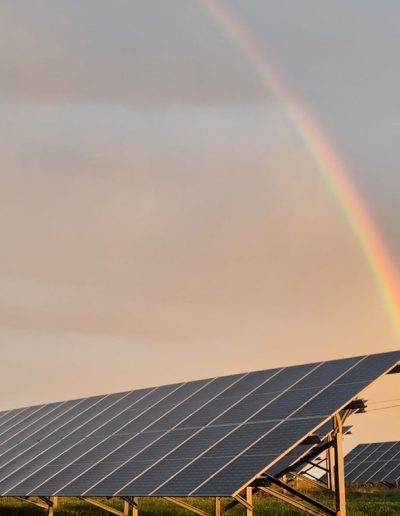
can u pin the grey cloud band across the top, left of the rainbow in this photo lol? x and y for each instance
(149, 54)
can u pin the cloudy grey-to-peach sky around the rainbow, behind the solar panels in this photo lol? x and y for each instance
(160, 217)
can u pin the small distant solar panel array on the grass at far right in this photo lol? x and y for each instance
(374, 462)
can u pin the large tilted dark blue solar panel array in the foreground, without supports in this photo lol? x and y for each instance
(201, 438)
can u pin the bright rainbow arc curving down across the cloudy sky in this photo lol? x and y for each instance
(329, 166)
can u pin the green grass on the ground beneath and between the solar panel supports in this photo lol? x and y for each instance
(359, 503)
